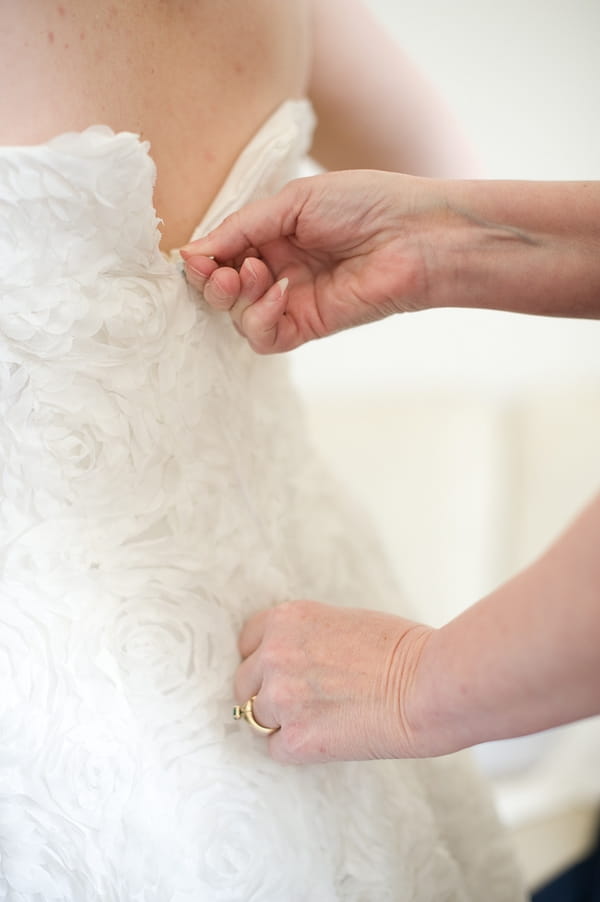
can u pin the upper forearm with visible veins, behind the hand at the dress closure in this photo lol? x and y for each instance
(526, 247)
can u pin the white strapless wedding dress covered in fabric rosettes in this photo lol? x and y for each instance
(157, 488)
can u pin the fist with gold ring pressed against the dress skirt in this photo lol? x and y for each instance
(341, 683)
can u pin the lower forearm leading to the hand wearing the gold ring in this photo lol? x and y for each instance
(524, 659)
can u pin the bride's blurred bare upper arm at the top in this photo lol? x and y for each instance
(375, 108)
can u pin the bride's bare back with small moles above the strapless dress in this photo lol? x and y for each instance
(195, 77)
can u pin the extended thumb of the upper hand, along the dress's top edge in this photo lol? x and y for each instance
(253, 226)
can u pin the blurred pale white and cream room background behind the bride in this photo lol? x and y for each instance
(471, 437)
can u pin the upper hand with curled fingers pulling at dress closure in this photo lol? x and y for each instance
(327, 253)
